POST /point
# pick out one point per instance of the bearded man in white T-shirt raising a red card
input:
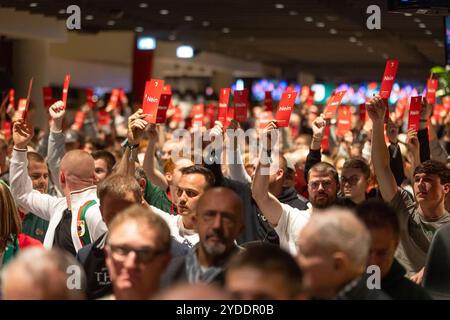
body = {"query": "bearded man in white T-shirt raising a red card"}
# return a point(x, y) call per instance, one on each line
point(323, 185)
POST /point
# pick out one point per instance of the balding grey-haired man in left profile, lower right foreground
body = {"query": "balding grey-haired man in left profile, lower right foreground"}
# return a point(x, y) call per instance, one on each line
point(333, 250)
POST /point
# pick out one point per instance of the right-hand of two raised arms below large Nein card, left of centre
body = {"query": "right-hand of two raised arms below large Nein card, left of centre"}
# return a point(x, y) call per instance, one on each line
point(152, 173)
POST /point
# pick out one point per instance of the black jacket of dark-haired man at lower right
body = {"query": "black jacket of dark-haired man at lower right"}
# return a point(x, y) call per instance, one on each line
point(398, 287)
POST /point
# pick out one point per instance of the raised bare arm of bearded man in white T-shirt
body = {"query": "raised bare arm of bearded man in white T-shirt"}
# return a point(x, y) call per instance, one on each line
point(268, 204)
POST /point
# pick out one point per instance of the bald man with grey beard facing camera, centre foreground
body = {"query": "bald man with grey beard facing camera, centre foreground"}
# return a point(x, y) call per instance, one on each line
point(219, 221)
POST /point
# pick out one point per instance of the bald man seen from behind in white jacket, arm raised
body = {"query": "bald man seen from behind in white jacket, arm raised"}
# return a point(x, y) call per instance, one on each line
point(75, 219)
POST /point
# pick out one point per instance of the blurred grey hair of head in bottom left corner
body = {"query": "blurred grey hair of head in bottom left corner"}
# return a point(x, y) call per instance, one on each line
point(40, 265)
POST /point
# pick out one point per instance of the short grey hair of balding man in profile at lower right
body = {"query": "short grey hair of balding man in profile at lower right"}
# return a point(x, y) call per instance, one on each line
point(338, 229)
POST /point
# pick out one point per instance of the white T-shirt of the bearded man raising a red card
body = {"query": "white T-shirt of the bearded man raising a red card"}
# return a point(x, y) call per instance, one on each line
point(291, 222)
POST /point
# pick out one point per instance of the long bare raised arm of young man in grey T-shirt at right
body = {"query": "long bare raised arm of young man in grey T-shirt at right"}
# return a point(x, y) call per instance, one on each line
point(380, 155)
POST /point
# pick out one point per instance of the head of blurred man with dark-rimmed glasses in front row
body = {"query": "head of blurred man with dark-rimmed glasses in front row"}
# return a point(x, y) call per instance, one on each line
point(137, 253)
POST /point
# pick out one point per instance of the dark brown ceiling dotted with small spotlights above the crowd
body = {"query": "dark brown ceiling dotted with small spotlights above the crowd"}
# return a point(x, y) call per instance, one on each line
point(328, 38)
